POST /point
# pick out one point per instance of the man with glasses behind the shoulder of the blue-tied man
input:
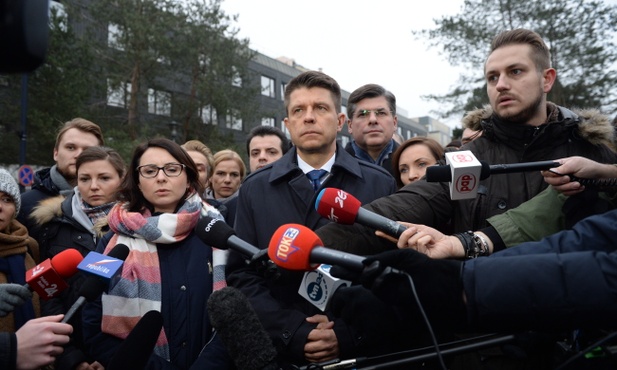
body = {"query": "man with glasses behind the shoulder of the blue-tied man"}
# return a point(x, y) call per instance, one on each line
point(372, 124)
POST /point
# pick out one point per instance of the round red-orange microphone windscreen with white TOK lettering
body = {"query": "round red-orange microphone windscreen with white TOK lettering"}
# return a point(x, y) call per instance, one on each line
point(291, 245)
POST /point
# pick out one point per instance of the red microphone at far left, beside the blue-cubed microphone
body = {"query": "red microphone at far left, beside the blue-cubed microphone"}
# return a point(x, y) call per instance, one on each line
point(47, 278)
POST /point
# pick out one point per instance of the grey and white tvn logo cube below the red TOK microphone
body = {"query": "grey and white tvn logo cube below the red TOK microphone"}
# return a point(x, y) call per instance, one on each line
point(319, 285)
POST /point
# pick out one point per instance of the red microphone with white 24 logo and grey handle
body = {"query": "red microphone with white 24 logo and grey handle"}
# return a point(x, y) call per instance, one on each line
point(343, 208)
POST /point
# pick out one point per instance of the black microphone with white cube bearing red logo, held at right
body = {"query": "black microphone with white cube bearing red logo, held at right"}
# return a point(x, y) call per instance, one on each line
point(464, 172)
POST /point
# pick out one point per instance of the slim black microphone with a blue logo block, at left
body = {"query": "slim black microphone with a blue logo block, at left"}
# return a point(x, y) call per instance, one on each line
point(100, 271)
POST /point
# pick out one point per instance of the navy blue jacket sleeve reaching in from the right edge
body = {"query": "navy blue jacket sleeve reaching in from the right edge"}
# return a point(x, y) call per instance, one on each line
point(568, 279)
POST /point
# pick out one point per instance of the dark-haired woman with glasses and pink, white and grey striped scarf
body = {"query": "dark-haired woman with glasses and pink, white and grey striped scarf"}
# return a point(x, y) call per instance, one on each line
point(168, 269)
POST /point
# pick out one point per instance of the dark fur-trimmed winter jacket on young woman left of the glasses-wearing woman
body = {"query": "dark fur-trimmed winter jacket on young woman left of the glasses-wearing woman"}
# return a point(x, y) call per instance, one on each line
point(58, 231)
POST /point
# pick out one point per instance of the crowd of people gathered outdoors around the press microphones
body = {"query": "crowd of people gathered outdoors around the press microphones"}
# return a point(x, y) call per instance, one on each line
point(532, 251)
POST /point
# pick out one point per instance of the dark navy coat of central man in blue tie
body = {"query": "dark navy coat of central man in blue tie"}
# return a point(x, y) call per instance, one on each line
point(278, 194)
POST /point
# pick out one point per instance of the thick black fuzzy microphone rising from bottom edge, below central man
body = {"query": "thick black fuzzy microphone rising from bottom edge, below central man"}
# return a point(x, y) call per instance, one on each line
point(247, 342)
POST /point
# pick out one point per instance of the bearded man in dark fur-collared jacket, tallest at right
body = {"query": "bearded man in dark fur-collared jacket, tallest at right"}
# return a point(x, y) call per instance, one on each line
point(520, 126)
